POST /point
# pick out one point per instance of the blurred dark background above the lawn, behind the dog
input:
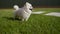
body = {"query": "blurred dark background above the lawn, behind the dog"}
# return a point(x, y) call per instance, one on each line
point(35, 3)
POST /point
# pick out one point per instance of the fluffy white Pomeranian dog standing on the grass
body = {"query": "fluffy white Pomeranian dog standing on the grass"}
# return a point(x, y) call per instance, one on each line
point(24, 12)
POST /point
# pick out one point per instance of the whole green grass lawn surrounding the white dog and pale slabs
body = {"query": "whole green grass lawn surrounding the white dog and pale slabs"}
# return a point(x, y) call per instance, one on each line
point(37, 24)
